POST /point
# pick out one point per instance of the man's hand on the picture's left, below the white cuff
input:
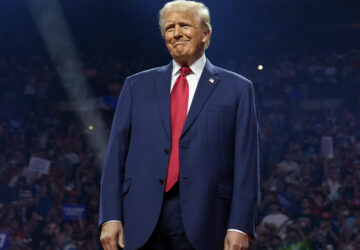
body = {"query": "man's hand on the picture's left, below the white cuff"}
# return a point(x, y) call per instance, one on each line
point(112, 233)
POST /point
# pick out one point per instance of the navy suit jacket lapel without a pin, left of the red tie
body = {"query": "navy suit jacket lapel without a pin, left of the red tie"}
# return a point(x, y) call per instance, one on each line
point(162, 82)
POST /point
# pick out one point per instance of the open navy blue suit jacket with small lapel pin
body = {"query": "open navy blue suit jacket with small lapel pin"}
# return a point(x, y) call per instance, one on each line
point(219, 157)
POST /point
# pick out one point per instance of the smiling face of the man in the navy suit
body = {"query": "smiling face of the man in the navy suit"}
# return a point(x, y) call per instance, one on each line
point(185, 37)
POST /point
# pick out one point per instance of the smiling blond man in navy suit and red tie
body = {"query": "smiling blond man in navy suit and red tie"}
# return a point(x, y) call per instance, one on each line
point(182, 165)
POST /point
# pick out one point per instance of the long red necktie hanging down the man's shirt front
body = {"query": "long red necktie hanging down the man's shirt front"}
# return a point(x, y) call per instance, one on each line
point(178, 103)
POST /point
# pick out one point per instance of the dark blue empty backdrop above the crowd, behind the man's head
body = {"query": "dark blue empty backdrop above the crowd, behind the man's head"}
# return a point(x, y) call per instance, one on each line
point(240, 27)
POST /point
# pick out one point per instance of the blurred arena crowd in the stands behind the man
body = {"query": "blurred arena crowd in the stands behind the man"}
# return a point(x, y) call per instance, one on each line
point(309, 200)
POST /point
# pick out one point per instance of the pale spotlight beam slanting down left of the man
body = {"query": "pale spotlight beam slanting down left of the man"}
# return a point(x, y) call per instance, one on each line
point(55, 33)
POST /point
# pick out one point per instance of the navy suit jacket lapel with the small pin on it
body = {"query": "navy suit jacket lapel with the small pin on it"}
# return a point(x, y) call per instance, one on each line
point(207, 83)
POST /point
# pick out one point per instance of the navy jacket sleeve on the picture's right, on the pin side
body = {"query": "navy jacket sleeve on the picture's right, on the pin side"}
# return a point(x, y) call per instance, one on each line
point(246, 192)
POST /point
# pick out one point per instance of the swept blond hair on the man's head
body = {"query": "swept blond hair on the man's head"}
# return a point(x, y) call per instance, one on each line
point(185, 6)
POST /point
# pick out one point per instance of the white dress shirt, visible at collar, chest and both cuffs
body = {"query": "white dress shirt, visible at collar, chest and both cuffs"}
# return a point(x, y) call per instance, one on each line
point(193, 79)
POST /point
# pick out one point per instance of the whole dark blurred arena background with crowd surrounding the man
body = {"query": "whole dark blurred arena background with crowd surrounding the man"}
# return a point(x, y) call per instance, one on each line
point(309, 88)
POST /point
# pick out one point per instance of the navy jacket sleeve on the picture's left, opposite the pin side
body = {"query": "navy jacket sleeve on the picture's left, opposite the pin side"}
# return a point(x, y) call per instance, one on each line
point(114, 164)
